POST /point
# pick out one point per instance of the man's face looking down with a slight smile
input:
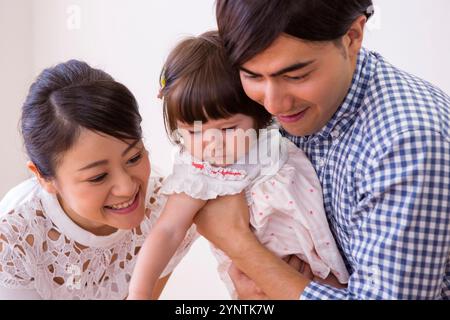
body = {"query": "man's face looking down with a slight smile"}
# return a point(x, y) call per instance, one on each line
point(301, 83)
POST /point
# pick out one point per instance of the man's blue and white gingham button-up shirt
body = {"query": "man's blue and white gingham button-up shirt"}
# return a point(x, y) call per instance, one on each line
point(384, 164)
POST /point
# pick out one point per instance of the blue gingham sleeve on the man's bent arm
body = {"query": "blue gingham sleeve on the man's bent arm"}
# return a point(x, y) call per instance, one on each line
point(401, 249)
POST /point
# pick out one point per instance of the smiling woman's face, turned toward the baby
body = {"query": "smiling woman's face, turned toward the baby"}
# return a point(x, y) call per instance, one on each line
point(101, 182)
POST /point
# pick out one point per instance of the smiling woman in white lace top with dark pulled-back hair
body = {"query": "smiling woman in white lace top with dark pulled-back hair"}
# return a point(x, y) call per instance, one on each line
point(73, 232)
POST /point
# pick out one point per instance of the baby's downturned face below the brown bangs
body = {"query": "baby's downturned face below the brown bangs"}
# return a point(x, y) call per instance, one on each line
point(219, 142)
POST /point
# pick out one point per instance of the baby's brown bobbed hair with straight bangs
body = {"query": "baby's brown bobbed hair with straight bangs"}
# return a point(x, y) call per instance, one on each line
point(199, 84)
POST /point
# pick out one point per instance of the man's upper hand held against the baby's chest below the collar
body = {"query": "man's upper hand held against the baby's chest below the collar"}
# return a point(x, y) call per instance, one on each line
point(223, 220)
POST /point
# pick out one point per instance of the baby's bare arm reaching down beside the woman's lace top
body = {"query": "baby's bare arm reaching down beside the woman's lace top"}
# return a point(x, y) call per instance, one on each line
point(162, 243)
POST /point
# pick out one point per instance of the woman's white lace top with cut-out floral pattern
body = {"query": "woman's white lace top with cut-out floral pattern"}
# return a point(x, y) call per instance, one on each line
point(35, 254)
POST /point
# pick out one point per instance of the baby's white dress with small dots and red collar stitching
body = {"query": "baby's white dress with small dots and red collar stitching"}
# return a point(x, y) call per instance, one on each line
point(284, 197)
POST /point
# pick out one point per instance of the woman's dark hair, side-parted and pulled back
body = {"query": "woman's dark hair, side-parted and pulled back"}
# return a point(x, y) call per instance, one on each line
point(68, 97)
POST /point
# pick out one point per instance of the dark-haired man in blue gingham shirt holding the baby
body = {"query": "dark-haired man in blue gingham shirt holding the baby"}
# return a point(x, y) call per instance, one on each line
point(378, 138)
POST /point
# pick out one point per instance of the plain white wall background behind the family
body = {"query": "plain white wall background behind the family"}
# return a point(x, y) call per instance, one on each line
point(130, 40)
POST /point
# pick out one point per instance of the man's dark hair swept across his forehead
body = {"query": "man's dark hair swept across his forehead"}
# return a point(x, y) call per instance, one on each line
point(248, 27)
